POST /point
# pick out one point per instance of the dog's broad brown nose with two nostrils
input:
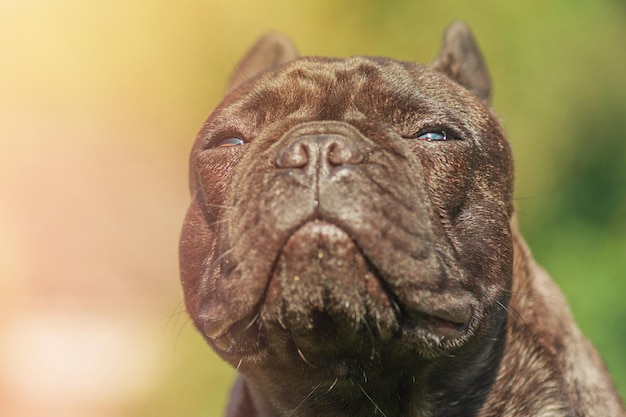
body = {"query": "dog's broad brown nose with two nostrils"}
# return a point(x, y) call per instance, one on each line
point(324, 151)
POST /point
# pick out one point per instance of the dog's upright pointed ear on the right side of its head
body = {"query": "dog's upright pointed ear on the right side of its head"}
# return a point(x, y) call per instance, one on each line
point(461, 60)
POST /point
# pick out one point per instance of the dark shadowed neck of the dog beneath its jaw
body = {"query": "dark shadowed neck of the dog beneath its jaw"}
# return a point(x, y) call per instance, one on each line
point(454, 386)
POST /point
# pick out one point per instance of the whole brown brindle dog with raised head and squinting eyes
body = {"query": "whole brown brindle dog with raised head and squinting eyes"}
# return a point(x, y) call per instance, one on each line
point(351, 247)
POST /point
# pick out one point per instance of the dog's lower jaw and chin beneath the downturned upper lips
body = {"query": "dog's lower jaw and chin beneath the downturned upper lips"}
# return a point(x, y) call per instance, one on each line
point(326, 294)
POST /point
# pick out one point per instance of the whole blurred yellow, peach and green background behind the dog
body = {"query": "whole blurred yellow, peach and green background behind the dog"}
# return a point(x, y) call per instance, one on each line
point(100, 102)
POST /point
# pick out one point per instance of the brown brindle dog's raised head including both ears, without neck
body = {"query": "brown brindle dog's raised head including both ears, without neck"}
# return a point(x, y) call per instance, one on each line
point(348, 212)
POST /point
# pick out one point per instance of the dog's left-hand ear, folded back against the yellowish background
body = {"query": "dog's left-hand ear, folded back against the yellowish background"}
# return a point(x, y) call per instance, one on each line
point(270, 50)
